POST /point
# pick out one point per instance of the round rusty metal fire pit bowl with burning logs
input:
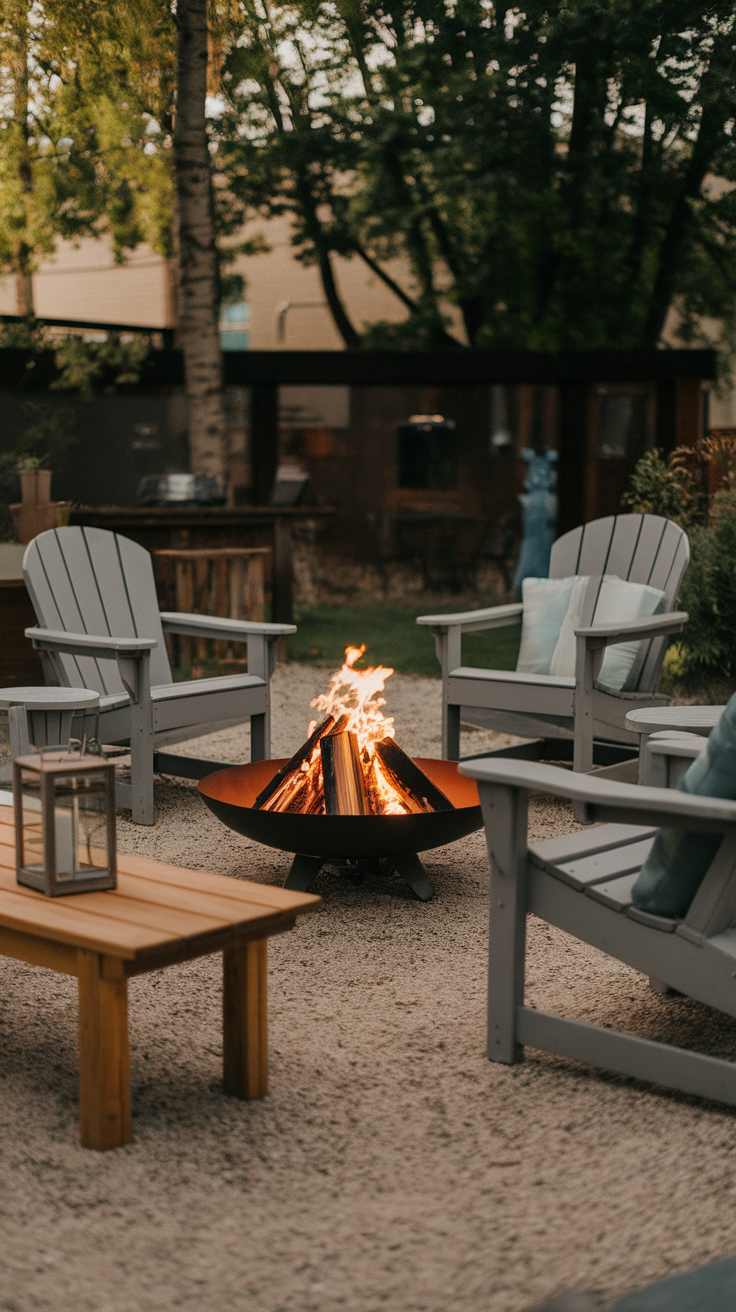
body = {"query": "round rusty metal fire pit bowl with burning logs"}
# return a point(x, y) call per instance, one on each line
point(350, 797)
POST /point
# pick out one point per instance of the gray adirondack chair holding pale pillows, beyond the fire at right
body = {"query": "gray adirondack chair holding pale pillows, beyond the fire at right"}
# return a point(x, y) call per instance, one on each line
point(638, 548)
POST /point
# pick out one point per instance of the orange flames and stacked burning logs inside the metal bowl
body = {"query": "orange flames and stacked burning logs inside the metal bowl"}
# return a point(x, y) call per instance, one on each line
point(361, 756)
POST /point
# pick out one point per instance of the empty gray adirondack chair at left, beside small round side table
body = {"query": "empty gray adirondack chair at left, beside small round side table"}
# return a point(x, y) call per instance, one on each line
point(100, 628)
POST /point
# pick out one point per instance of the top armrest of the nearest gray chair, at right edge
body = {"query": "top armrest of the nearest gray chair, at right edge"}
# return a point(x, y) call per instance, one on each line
point(605, 800)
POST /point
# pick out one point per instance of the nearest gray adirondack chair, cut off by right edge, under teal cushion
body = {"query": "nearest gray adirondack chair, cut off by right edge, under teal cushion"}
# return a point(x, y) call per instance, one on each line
point(582, 884)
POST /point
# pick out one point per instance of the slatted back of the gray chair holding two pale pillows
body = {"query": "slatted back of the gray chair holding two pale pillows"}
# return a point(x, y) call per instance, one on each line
point(638, 548)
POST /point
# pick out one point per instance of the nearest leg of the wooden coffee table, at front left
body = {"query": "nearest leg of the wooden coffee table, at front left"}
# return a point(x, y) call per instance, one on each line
point(104, 1058)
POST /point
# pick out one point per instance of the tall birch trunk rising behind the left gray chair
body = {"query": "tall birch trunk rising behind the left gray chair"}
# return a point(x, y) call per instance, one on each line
point(197, 254)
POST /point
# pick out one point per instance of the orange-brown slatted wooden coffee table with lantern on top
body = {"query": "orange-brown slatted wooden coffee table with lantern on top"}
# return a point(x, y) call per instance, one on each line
point(155, 918)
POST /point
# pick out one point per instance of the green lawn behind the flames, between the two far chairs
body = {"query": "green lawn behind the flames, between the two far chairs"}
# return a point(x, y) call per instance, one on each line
point(392, 638)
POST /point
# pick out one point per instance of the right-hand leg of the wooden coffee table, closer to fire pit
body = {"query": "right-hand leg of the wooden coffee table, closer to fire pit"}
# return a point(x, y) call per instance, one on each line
point(246, 1074)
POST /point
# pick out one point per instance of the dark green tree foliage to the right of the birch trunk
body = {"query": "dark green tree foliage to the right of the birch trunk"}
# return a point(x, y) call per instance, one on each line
point(563, 173)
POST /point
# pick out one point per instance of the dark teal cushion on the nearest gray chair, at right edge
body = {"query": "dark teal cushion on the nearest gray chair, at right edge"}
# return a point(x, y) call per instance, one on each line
point(680, 859)
